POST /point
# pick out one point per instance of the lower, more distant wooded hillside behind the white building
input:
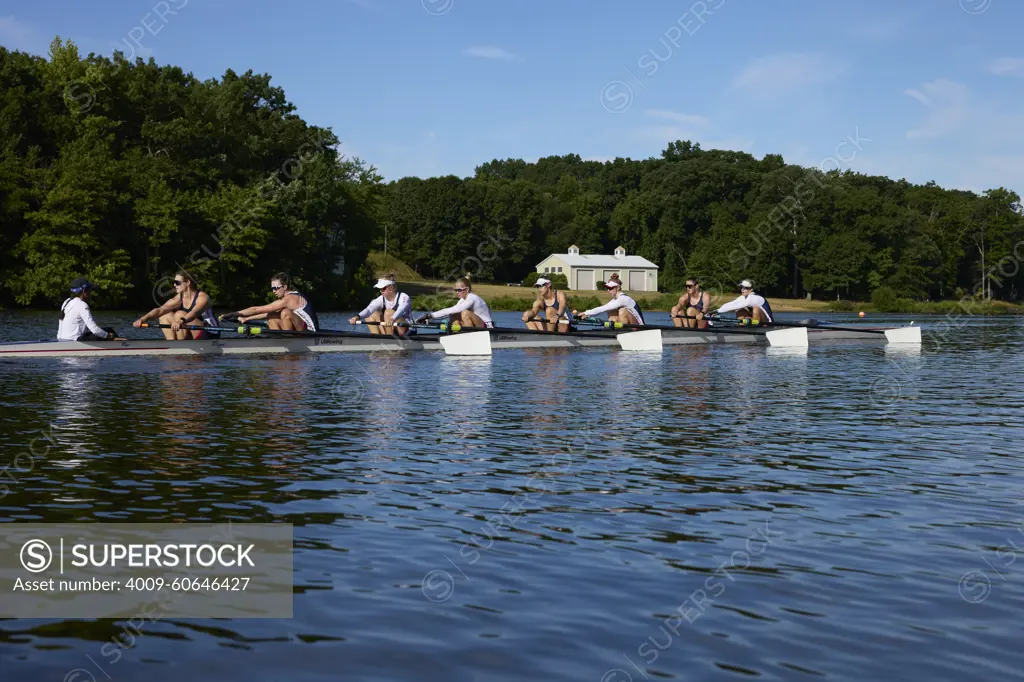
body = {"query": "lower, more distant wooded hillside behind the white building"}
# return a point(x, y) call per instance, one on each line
point(720, 217)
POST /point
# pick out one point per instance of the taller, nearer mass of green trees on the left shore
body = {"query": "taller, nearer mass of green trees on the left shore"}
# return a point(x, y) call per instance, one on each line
point(124, 173)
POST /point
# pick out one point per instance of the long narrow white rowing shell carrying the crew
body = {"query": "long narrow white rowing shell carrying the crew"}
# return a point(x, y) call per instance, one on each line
point(359, 343)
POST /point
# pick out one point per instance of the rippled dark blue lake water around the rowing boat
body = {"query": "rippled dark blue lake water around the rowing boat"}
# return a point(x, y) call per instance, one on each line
point(710, 514)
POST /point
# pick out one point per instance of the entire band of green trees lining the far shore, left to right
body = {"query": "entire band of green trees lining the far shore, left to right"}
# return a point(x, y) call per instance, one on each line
point(126, 172)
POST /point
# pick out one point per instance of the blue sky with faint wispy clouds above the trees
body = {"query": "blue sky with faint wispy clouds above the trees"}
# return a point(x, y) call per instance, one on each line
point(929, 91)
